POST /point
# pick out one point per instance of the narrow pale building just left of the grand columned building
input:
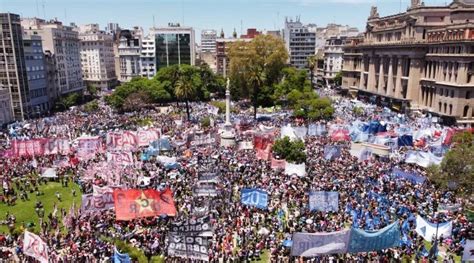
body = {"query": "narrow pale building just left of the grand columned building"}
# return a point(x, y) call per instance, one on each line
point(333, 57)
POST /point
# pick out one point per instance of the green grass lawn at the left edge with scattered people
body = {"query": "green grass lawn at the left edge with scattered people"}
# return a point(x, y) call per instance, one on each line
point(24, 211)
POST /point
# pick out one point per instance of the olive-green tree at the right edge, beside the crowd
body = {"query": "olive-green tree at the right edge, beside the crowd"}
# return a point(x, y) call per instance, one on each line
point(457, 169)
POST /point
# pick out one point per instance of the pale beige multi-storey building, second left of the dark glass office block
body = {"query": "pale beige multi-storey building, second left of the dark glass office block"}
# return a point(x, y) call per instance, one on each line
point(97, 57)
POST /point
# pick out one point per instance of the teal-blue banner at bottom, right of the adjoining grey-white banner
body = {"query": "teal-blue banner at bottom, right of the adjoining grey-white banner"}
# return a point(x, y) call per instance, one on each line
point(385, 238)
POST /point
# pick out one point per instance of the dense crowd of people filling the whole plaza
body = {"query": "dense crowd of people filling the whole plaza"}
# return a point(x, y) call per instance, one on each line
point(369, 198)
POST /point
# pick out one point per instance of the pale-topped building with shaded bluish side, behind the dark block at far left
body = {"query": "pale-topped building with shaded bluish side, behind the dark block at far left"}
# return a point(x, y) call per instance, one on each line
point(62, 42)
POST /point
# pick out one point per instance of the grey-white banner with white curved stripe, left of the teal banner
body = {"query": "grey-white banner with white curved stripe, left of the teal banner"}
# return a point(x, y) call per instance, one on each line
point(315, 244)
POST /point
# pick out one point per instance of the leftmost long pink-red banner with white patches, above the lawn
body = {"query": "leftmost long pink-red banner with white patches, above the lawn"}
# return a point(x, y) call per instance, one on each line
point(42, 146)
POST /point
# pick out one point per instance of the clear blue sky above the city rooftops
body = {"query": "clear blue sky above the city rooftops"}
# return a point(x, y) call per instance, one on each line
point(207, 14)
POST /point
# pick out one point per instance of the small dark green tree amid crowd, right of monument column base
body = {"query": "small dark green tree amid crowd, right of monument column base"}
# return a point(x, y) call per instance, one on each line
point(291, 151)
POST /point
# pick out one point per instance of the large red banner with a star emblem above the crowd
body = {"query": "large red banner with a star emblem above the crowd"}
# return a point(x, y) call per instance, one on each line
point(135, 203)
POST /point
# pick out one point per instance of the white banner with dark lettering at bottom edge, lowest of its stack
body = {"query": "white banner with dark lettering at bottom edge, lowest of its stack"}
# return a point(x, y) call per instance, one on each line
point(188, 247)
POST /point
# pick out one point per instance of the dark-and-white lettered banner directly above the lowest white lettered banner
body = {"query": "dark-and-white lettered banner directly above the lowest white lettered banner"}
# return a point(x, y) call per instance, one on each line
point(200, 226)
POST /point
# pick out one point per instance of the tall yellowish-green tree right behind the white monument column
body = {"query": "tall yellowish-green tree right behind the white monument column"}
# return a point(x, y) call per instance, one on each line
point(255, 65)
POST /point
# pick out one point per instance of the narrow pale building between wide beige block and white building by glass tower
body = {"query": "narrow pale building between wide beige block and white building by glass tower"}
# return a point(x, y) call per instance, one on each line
point(129, 52)
